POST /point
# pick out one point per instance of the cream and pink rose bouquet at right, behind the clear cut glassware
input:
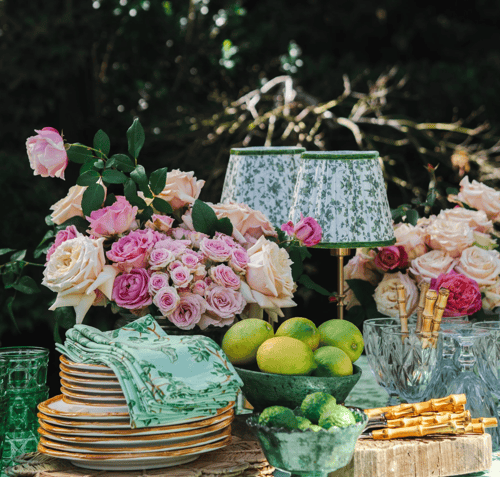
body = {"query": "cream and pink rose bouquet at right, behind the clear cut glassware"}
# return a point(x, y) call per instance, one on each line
point(455, 249)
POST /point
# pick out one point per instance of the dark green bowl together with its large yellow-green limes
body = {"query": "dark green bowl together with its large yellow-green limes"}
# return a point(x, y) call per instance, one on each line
point(282, 368)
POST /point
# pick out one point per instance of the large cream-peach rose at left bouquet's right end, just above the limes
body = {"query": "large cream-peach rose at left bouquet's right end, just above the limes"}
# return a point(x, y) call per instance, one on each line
point(268, 280)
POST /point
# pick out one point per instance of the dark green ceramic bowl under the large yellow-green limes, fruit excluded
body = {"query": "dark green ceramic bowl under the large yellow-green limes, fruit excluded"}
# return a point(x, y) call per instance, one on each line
point(265, 389)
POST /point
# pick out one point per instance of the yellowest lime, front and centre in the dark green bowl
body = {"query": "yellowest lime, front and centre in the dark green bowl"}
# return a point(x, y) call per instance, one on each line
point(285, 355)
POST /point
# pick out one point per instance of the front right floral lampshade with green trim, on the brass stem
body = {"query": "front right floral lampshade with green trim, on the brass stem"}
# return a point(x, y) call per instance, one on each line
point(345, 192)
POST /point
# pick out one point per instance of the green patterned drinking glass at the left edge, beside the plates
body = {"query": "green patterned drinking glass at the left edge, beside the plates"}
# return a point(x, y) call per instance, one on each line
point(26, 387)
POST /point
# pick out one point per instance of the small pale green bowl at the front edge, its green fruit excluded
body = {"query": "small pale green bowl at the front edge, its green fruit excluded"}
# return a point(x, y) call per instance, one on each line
point(308, 453)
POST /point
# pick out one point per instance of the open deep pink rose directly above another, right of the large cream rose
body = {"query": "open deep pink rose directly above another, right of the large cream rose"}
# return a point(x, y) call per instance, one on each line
point(132, 250)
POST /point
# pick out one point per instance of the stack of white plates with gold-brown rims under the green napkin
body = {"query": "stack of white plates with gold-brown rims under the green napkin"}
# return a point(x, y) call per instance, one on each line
point(89, 425)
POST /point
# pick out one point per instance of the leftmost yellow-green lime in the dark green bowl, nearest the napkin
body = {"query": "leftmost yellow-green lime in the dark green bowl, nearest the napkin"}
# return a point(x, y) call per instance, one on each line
point(242, 340)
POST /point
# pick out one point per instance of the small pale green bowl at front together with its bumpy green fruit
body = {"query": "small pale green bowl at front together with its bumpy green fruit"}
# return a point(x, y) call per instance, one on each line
point(314, 439)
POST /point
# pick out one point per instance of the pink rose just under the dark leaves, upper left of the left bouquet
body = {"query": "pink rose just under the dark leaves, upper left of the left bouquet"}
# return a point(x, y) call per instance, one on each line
point(113, 219)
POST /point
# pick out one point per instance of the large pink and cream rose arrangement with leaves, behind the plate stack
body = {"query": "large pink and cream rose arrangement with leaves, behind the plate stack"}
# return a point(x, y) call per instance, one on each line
point(155, 247)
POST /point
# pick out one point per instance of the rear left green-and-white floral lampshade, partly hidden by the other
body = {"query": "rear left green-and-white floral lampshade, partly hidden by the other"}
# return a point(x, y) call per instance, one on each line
point(264, 179)
